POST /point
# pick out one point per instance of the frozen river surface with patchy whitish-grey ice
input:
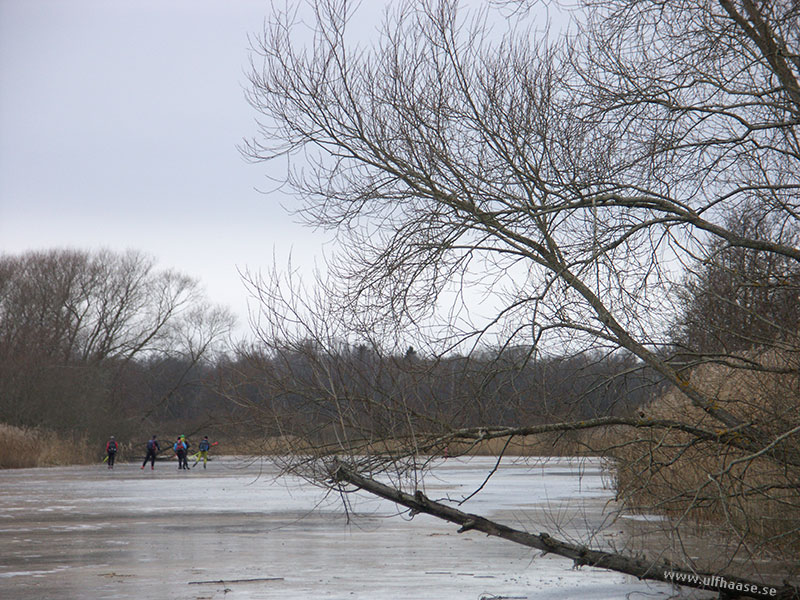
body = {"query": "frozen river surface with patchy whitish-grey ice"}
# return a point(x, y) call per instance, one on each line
point(234, 531)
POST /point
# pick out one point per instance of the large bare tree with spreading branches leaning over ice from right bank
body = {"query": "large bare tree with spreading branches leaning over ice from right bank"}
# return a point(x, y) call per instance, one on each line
point(499, 189)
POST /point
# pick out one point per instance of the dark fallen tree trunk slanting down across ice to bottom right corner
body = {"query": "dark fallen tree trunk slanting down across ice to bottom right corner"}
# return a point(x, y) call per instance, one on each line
point(728, 587)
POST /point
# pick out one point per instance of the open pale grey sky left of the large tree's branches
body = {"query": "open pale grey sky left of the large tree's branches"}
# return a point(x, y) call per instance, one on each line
point(119, 125)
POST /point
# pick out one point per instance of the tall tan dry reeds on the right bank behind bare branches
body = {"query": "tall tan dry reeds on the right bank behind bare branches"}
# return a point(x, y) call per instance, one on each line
point(754, 502)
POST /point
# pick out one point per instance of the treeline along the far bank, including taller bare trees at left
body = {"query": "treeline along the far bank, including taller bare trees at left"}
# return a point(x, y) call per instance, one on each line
point(99, 344)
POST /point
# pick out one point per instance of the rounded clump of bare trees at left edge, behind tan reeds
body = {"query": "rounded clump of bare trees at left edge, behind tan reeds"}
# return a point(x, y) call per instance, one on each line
point(72, 321)
